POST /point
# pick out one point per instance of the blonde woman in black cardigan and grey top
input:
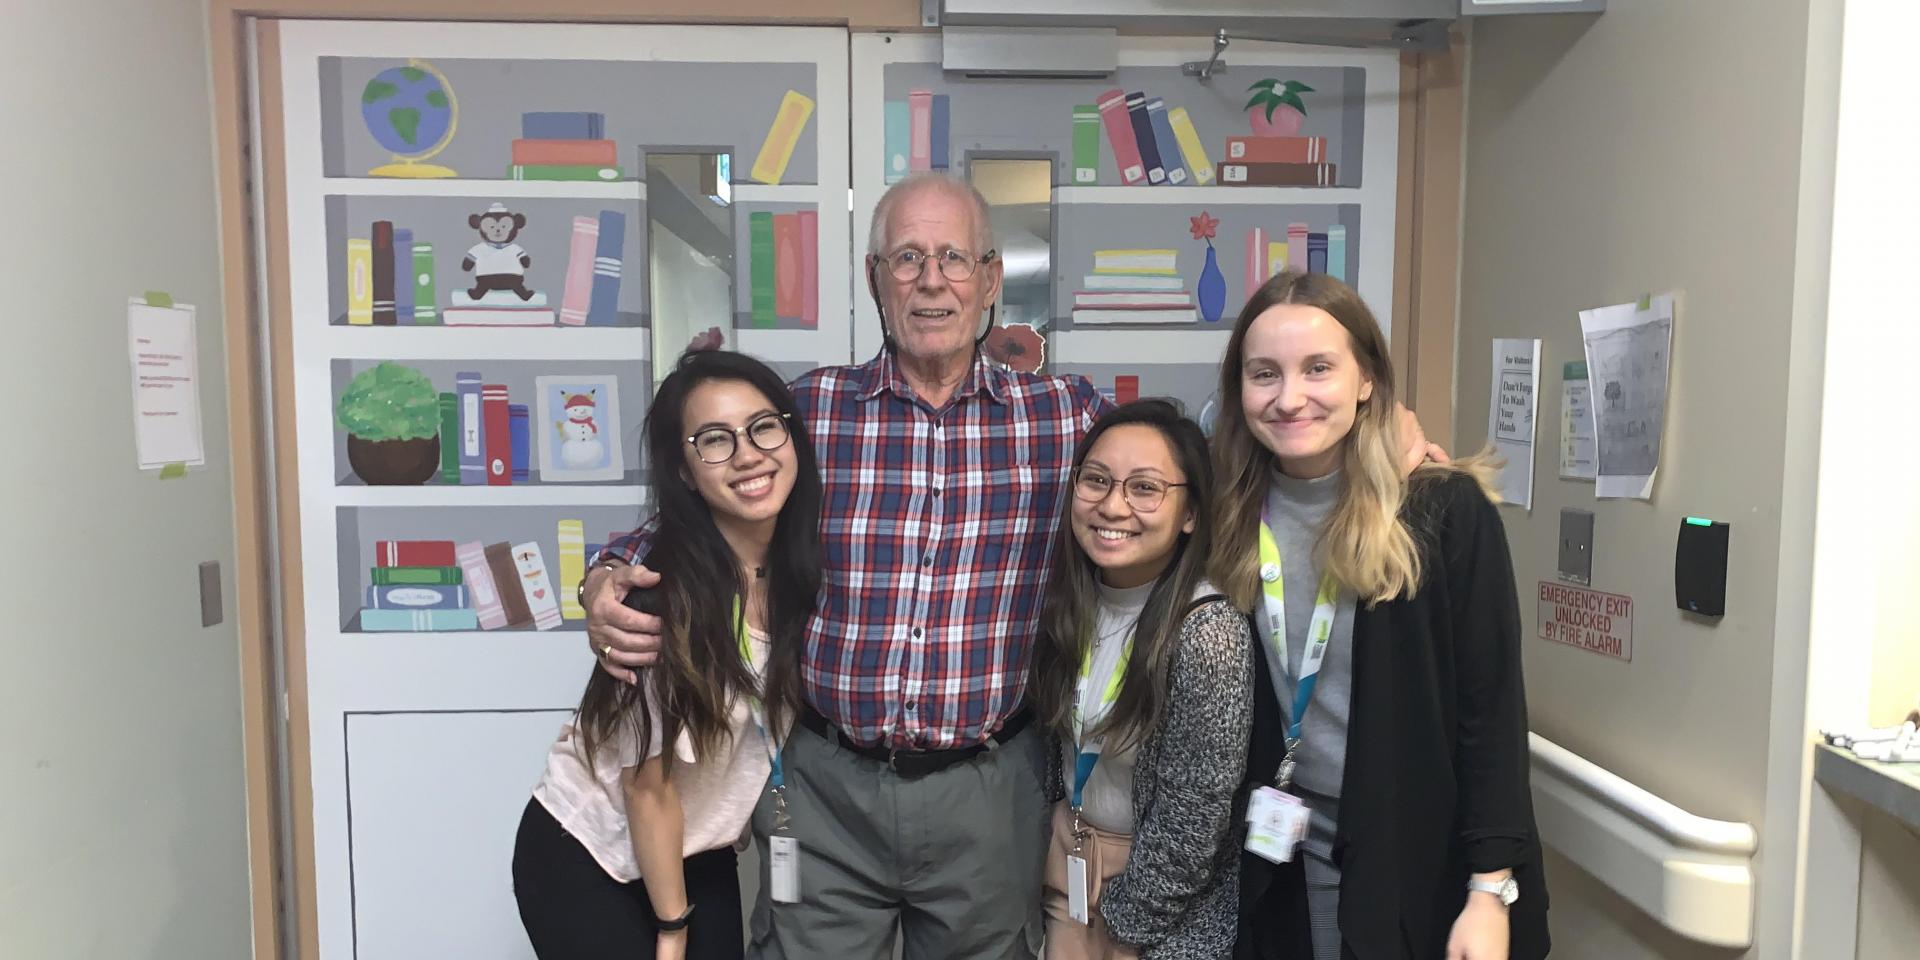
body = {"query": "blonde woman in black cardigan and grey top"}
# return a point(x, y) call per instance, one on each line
point(1389, 813)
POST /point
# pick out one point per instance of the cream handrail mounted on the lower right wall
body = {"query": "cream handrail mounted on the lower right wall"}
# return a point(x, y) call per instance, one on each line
point(1691, 873)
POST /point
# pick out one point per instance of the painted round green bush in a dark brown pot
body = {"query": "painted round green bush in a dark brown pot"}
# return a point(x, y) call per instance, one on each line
point(393, 421)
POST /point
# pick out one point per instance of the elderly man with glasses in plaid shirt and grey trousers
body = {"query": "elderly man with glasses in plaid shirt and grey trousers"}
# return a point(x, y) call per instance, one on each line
point(915, 777)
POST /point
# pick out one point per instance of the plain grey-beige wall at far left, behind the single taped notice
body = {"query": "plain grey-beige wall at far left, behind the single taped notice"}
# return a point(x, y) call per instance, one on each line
point(122, 800)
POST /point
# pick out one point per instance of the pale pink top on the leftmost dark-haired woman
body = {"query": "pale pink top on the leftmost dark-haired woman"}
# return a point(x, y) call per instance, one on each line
point(717, 796)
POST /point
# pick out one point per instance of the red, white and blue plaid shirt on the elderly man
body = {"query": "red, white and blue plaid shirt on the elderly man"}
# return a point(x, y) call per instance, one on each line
point(938, 533)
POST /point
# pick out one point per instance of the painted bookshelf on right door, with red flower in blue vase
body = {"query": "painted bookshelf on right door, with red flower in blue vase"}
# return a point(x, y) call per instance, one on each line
point(1170, 201)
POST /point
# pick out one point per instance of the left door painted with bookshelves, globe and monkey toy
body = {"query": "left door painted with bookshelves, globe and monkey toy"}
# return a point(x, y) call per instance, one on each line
point(500, 237)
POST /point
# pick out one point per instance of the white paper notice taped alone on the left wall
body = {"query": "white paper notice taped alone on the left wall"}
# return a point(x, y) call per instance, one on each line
point(166, 385)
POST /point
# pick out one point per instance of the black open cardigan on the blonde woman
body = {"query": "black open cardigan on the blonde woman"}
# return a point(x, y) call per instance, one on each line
point(1437, 756)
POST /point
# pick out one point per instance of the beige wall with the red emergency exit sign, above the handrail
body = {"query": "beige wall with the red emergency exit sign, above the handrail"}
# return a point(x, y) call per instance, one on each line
point(1650, 149)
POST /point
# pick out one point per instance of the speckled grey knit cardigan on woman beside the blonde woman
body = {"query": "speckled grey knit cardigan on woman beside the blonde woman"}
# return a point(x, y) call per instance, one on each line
point(1180, 896)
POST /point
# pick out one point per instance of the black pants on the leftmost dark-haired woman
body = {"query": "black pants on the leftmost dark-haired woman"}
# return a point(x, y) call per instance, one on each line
point(573, 911)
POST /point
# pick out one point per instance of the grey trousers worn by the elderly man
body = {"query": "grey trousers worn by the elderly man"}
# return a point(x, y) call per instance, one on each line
point(948, 863)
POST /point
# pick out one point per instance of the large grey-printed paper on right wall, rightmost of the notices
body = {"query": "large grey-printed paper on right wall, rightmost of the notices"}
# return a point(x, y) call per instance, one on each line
point(1627, 362)
